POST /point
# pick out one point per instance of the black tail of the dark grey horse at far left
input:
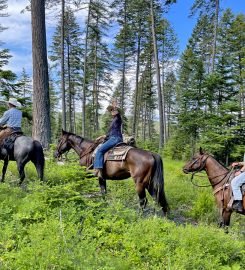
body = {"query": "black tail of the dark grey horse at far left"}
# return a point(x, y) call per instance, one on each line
point(38, 159)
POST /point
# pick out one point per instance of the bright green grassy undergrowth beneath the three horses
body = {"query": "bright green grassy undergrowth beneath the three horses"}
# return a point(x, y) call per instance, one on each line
point(66, 224)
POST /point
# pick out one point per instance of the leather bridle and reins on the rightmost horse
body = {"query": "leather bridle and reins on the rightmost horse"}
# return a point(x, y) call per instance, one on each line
point(202, 166)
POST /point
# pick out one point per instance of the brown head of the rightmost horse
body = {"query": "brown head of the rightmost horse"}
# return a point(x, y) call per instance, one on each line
point(197, 162)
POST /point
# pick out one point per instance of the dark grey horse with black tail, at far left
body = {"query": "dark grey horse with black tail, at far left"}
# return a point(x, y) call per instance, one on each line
point(25, 149)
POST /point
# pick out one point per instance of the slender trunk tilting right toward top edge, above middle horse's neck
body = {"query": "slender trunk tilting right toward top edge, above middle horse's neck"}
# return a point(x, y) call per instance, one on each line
point(85, 73)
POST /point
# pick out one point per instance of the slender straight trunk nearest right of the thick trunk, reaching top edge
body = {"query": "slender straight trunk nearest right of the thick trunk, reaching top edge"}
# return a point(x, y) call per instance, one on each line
point(63, 64)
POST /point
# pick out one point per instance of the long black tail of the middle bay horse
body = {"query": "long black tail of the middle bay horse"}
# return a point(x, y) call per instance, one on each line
point(157, 183)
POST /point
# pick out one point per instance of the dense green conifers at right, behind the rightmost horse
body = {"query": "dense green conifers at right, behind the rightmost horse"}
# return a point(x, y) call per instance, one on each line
point(211, 103)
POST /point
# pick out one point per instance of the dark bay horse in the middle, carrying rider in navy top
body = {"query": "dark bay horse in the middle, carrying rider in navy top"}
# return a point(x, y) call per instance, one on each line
point(144, 167)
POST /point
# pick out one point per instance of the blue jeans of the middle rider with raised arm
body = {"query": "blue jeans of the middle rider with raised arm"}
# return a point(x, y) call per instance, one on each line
point(99, 157)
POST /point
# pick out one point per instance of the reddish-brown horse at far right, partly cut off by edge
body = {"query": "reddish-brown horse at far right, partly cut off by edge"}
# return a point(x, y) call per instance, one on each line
point(219, 178)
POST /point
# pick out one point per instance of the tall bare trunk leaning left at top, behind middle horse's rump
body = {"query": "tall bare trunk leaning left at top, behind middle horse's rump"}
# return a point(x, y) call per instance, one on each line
point(160, 96)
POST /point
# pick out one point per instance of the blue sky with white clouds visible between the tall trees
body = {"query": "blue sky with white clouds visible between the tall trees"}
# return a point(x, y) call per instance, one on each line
point(17, 37)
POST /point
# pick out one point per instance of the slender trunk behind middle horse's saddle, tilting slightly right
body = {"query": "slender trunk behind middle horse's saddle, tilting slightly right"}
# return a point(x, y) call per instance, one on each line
point(137, 82)
